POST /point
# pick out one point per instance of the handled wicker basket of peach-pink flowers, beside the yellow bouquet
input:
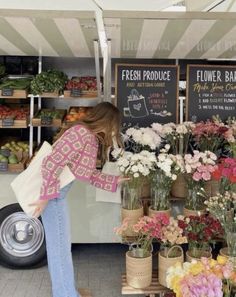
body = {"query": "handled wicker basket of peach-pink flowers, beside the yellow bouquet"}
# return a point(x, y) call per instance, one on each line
point(165, 262)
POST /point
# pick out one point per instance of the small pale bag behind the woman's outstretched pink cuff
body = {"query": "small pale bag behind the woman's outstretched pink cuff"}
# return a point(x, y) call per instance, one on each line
point(107, 196)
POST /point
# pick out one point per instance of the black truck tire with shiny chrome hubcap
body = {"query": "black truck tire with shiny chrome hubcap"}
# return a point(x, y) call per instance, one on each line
point(22, 242)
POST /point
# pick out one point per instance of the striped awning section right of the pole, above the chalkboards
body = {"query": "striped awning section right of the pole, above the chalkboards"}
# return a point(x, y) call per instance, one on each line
point(171, 35)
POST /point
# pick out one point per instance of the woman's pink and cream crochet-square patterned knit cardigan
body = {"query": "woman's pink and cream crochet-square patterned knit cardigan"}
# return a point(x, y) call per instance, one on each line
point(78, 149)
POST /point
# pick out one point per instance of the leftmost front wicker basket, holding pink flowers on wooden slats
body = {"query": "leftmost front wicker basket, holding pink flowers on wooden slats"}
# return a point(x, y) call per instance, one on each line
point(138, 271)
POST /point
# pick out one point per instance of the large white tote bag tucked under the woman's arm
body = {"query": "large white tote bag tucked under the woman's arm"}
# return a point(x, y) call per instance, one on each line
point(27, 184)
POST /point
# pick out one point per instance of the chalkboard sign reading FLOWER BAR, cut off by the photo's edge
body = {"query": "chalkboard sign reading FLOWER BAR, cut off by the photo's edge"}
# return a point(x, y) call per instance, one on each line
point(211, 90)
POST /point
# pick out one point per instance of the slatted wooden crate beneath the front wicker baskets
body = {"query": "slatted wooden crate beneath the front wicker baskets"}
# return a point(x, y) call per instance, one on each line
point(154, 288)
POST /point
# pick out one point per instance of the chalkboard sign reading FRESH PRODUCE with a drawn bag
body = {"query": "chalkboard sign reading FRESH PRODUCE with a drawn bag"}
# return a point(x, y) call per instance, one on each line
point(147, 94)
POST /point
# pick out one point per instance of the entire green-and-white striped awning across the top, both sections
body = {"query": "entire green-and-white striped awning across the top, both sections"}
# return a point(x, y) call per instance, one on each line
point(69, 28)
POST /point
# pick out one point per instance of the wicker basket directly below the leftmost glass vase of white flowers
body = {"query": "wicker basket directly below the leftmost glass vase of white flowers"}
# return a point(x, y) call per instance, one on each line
point(134, 216)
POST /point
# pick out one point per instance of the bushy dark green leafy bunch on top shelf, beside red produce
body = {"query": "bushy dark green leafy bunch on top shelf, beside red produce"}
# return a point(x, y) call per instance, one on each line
point(48, 81)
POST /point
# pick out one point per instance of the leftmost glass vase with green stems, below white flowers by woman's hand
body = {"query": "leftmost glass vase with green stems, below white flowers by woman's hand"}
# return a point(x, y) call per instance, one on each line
point(131, 196)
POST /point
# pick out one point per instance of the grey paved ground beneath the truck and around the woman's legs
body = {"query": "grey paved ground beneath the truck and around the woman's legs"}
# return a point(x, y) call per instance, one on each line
point(98, 267)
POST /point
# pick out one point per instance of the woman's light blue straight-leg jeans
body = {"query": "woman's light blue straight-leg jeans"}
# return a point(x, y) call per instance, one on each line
point(58, 243)
